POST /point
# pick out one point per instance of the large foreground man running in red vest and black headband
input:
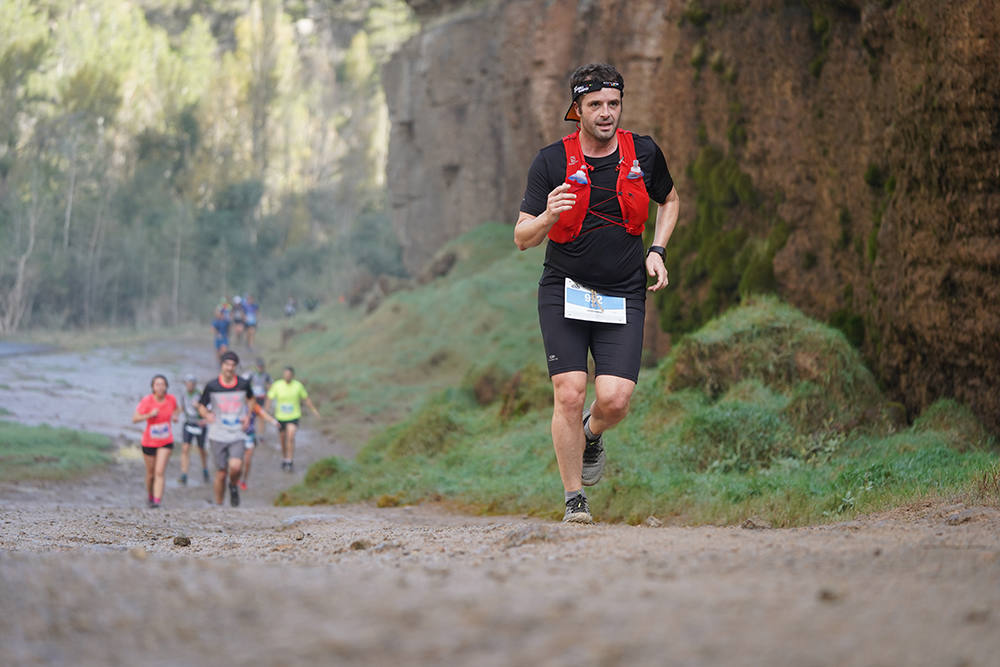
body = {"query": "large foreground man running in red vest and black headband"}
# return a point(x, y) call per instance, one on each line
point(589, 195)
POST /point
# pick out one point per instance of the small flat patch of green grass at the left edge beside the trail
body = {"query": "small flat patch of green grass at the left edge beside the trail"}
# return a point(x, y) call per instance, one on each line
point(43, 452)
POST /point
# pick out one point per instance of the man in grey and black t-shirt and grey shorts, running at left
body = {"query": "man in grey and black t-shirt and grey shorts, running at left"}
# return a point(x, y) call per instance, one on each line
point(226, 403)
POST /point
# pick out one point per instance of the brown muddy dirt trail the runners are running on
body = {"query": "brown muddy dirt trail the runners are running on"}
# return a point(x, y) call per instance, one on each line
point(89, 576)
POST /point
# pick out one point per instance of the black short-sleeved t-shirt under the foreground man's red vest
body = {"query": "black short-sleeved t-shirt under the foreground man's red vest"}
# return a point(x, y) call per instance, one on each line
point(604, 256)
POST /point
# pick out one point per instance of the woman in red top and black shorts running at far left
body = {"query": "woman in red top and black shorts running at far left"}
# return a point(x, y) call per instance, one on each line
point(157, 409)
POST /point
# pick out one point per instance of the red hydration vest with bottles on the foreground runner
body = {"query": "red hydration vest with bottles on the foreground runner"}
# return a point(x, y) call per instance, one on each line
point(631, 192)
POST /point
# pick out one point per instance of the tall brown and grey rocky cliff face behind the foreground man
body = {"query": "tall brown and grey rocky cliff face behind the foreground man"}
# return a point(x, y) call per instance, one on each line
point(866, 132)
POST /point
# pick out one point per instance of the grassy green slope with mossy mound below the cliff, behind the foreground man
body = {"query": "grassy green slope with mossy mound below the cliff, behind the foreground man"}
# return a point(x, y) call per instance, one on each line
point(761, 412)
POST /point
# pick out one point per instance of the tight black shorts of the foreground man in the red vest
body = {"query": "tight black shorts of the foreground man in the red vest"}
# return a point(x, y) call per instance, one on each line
point(616, 348)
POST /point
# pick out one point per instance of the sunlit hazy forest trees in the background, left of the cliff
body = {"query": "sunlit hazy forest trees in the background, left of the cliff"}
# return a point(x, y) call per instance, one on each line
point(152, 150)
